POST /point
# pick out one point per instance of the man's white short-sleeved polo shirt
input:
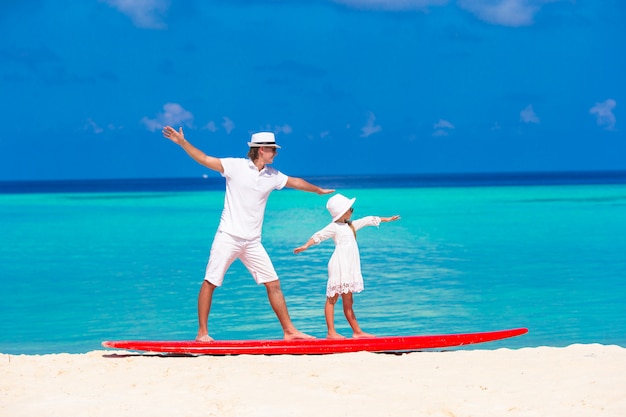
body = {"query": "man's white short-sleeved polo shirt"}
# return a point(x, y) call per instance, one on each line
point(247, 191)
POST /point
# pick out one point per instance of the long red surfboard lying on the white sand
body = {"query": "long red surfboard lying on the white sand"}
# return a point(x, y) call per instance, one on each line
point(314, 346)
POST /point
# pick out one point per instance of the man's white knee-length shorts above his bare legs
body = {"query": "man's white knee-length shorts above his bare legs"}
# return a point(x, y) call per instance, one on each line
point(226, 248)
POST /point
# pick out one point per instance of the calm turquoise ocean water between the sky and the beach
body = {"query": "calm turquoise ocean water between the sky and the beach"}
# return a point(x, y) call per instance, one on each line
point(91, 261)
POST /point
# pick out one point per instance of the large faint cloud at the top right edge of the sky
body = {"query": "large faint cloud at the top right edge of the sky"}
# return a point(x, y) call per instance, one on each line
point(504, 12)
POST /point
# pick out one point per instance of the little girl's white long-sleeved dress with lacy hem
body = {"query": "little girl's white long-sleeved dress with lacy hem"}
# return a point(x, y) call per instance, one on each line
point(344, 266)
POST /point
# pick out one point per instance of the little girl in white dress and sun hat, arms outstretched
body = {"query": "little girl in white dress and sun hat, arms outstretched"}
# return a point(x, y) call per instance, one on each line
point(344, 267)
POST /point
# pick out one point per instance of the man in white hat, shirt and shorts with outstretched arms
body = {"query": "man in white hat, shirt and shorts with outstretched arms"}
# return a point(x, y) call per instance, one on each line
point(249, 183)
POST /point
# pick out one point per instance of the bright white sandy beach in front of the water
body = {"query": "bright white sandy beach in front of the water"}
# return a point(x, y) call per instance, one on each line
point(580, 380)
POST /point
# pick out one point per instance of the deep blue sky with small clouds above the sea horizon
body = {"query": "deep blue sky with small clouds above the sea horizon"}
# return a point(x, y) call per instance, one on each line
point(348, 86)
